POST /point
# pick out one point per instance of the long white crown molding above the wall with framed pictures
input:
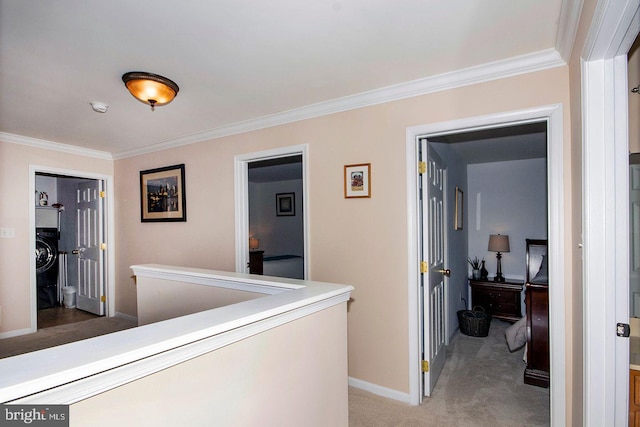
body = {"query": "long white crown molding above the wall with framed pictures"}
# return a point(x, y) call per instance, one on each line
point(529, 63)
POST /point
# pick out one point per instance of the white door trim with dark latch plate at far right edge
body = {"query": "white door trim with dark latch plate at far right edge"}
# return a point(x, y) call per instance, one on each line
point(605, 216)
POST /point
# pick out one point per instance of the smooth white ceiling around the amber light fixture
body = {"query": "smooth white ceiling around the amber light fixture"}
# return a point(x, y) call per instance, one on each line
point(236, 61)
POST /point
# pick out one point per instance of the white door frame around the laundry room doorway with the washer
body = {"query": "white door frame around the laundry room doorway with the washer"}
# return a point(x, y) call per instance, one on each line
point(109, 234)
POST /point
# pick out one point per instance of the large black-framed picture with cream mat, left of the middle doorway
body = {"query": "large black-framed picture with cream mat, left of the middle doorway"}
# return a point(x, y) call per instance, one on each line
point(162, 195)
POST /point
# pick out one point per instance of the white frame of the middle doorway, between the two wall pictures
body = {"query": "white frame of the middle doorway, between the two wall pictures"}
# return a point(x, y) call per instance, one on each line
point(241, 183)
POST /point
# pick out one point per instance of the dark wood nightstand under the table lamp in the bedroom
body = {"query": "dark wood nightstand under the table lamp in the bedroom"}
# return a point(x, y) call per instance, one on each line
point(500, 299)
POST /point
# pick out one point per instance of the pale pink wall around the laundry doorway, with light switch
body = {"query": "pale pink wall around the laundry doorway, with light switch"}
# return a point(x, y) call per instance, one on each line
point(14, 213)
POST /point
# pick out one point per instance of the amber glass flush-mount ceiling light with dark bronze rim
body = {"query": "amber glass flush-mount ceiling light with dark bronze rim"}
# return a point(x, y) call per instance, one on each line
point(150, 88)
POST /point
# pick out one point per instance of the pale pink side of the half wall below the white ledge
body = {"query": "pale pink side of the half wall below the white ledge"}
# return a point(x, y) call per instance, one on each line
point(293, 375)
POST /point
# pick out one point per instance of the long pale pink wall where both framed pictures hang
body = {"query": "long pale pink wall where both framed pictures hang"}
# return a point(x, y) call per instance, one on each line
point(361, 242)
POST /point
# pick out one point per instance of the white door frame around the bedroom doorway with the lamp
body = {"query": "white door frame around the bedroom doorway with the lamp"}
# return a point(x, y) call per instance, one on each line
point(553, 115)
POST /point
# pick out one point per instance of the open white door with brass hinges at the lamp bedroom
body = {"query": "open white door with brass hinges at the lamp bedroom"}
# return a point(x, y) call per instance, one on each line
point(432, 187)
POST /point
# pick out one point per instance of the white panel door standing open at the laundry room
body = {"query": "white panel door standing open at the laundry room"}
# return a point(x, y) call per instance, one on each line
point(89, 237)
